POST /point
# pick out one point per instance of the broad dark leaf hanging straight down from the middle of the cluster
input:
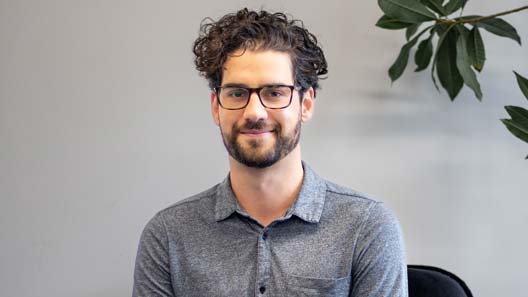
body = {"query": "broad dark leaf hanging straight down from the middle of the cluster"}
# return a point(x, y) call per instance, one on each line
point(447, 70)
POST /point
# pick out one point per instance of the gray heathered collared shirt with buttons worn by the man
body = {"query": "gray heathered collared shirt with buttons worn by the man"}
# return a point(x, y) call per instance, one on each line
point(333, 241)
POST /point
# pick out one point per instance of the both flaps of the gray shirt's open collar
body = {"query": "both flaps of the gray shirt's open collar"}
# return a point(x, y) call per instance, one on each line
point(308, 206)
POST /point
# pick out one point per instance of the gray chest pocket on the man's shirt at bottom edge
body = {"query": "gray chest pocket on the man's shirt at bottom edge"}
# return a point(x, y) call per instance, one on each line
point(320, 287)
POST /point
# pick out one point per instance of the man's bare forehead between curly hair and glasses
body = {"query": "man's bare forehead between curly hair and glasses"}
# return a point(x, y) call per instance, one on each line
point(257, 68)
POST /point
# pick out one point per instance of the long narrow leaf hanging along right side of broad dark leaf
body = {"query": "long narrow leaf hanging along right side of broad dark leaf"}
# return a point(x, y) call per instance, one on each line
point(463, 63)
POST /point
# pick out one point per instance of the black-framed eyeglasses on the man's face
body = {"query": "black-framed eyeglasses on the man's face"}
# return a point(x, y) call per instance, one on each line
point(272, 97)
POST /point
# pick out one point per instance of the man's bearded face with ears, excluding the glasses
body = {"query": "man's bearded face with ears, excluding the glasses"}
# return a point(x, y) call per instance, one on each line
point(255, 136)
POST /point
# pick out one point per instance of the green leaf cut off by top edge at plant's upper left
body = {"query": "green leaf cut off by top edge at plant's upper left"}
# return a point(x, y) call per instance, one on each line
point(408, 11)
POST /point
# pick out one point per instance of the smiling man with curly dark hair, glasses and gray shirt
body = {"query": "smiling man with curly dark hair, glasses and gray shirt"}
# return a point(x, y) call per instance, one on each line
point(272, 227)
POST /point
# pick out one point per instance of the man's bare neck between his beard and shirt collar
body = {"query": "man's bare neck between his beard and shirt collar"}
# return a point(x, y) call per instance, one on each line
point(267, 193)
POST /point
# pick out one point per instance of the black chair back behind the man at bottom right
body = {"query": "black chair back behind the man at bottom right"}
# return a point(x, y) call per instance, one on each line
point(428, 281)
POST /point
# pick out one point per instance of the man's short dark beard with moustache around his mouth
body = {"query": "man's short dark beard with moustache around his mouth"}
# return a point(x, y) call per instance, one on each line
point(255, 155)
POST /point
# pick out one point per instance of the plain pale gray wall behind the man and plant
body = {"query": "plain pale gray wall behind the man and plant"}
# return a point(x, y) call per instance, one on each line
point(104, 121)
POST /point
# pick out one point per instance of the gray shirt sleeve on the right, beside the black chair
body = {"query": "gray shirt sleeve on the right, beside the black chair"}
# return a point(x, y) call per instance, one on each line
point(379, 263)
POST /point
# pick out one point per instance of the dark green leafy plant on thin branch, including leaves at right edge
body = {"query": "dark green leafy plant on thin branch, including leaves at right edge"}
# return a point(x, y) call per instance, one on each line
point(459, 52)
